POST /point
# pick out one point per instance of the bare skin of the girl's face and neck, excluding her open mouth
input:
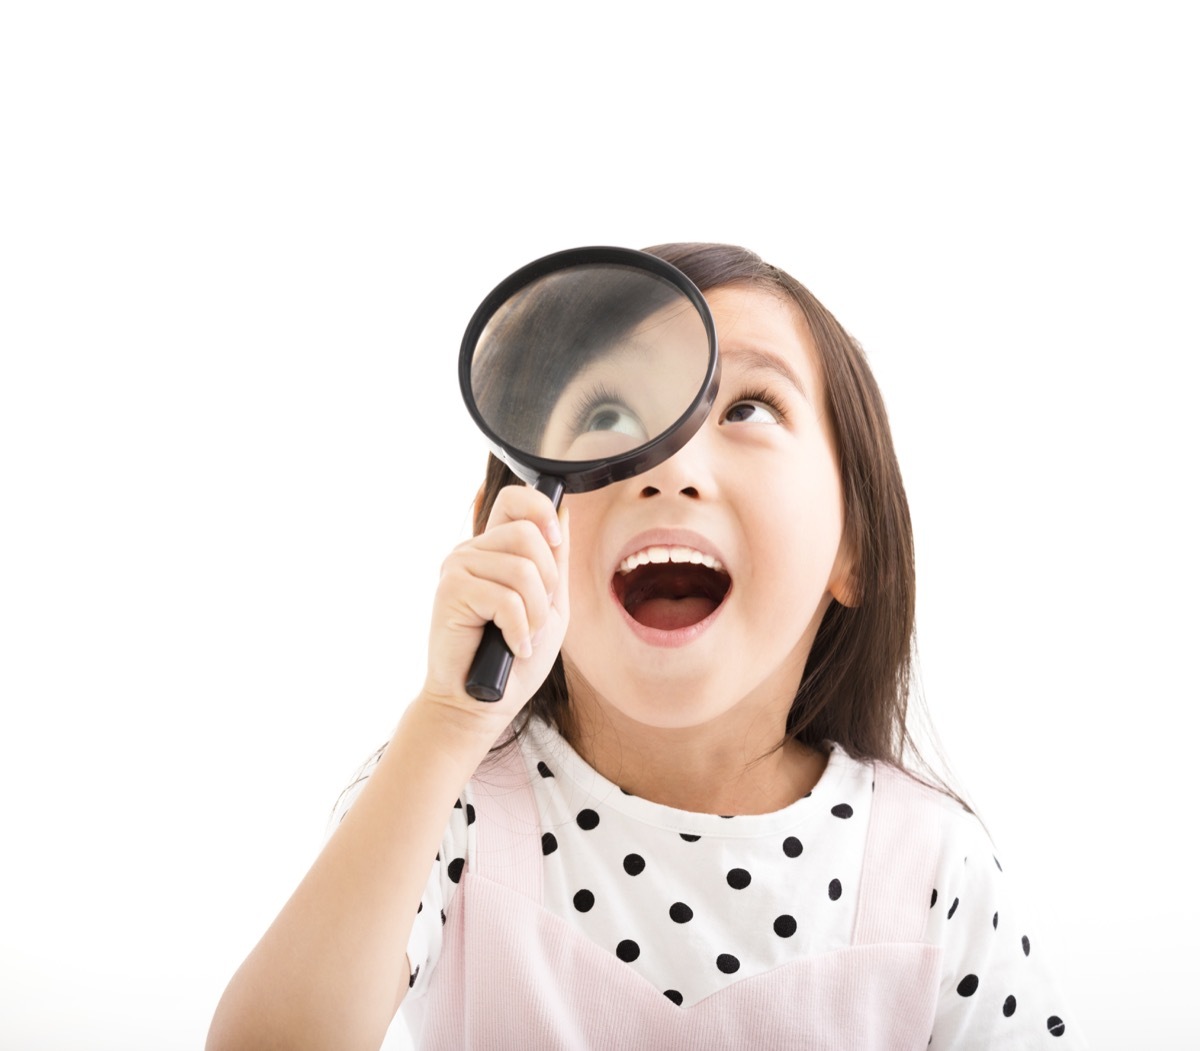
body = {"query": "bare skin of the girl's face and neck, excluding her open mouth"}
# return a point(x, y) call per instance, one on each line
point(759, 487)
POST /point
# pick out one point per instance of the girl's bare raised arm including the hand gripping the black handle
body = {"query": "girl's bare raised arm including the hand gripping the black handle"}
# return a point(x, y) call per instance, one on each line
point(329, 972)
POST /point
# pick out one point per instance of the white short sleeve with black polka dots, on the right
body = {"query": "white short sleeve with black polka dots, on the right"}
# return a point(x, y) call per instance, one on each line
point(998, 988)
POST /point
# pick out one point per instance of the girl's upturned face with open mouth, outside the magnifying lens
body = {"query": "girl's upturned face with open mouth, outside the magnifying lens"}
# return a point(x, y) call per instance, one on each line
point(698, 586)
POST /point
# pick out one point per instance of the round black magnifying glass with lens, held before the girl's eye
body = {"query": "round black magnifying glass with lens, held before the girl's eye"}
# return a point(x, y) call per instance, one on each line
point(583, 369)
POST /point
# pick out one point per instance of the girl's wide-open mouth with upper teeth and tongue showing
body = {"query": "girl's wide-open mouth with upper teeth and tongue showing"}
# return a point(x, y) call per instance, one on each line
point(668, 588)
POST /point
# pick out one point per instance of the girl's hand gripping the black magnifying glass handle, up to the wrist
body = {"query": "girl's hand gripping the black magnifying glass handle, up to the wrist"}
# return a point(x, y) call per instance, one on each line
point(513, 574)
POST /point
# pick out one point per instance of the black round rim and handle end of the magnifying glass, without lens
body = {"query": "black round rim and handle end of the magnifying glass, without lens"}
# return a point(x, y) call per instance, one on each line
point(494, 659)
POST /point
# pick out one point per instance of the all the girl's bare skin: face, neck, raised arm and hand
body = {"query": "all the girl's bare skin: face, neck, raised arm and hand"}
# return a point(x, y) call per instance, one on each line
point(692, 720)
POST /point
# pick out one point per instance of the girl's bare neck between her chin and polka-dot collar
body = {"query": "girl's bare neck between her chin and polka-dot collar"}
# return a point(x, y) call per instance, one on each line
point(731, 766)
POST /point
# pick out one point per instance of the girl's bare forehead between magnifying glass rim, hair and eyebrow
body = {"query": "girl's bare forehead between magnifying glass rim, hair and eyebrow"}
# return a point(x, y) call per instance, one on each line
point(757, 327)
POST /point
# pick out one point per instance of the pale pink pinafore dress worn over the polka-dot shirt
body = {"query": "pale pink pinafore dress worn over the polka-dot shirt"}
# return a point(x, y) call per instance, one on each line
point(514, 976)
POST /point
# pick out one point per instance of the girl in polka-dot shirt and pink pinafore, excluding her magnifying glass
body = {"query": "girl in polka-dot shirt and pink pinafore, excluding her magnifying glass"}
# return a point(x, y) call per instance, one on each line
point(688, 822)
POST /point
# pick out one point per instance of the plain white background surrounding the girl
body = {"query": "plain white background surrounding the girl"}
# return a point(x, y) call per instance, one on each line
point(239, 243)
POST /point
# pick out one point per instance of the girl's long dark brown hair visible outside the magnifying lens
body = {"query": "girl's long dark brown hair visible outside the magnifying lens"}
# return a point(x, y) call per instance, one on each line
point(856, 686)
